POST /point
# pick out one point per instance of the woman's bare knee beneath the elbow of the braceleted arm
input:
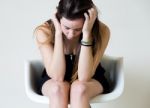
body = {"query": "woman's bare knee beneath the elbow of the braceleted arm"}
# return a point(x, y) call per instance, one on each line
point(78, 89)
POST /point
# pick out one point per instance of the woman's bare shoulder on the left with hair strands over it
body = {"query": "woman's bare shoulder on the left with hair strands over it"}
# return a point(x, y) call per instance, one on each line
point(43, 33)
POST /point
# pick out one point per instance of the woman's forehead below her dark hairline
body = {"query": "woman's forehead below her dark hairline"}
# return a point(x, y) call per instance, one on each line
point(77, 23)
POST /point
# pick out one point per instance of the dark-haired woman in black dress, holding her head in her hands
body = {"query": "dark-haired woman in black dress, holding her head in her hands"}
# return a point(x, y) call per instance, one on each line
point(72, 44)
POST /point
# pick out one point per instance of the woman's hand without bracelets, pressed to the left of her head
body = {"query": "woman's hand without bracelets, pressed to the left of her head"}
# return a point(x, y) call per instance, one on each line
point(58, 30)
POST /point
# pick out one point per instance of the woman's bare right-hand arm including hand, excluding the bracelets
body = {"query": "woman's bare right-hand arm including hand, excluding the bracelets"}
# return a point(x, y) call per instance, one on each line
point(86, 67)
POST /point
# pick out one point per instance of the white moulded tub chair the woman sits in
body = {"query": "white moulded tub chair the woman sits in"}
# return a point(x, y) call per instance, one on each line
point(114, 74)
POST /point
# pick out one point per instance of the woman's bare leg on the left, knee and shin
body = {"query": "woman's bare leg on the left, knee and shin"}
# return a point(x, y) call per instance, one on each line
point(57, 92)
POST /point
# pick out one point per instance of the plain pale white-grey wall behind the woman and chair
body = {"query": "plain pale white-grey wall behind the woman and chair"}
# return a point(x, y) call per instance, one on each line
point(128, 21)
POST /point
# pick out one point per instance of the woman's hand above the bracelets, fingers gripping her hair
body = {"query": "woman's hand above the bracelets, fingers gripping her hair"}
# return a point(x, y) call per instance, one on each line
point(89, 22)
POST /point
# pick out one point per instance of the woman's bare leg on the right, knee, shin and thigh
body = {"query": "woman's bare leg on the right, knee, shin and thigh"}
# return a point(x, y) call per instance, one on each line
point(82, 92)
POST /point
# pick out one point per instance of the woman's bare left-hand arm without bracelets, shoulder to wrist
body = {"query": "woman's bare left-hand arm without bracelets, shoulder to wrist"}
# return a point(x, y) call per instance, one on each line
point(52, 55)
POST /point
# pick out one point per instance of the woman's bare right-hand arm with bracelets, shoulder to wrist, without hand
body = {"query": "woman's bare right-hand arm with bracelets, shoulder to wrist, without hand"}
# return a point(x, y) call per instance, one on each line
point(86, 69)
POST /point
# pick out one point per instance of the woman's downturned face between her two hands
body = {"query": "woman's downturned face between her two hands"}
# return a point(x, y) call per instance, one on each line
point(71, 28)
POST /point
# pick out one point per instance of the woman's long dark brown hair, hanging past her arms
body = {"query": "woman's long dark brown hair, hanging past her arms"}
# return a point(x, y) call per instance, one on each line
point(73, 9)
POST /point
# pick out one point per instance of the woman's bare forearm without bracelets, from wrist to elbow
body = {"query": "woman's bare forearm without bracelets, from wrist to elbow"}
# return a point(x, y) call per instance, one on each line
point(58, 64)
